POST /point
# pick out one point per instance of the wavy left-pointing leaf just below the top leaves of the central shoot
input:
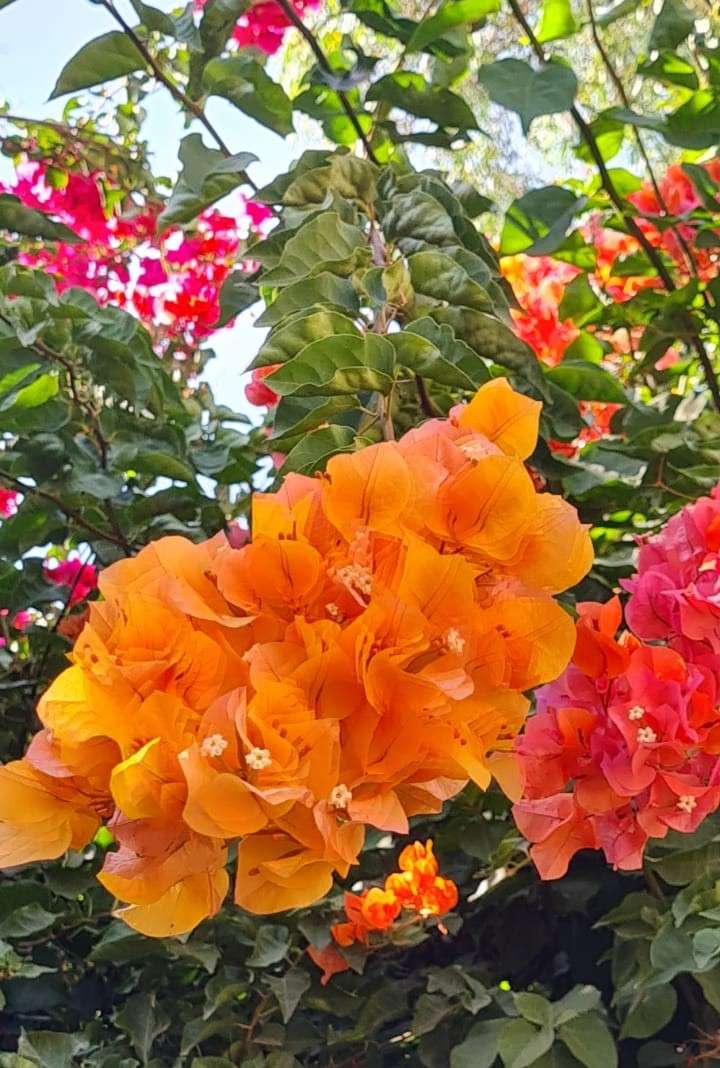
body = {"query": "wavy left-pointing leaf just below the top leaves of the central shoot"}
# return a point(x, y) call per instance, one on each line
point(324, 244)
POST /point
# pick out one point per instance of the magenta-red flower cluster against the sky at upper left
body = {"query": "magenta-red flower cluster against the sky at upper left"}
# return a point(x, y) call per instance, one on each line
point(170, 280)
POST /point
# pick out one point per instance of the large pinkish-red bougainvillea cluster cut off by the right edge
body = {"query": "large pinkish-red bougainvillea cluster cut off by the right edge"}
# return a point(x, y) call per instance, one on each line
point(627, 744)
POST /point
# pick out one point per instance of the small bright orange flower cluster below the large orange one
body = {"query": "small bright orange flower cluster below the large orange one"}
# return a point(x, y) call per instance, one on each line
point(416, 889)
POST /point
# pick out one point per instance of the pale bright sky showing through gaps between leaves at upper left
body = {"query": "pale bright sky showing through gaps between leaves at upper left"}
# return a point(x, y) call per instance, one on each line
point(37, 40)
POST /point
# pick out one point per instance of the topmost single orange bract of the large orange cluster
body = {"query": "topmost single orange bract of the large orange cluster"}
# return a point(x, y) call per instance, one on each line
point(507, 418)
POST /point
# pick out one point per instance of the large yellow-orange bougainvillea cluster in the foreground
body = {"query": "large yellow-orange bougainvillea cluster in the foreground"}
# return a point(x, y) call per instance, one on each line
point(354, 666)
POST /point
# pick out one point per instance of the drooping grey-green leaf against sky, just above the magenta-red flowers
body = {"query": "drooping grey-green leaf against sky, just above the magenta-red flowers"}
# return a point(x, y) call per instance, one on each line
point(207, 177)
